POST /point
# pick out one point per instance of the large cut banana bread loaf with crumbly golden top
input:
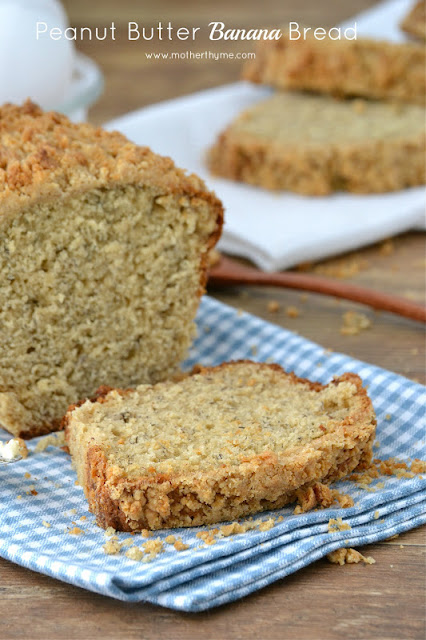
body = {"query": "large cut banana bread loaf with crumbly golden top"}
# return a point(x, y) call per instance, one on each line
point(103, 254)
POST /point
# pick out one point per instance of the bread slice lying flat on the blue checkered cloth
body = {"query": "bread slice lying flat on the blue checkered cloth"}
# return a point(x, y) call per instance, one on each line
point(222, 443)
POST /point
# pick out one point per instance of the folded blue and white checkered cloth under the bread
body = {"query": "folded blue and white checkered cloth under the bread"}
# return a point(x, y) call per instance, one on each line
point(207, 576)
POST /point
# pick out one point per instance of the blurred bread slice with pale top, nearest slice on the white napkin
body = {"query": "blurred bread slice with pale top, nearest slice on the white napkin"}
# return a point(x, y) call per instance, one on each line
point(315, 145)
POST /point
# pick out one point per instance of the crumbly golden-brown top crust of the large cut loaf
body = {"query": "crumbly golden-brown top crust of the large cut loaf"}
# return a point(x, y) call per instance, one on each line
point(43, 155)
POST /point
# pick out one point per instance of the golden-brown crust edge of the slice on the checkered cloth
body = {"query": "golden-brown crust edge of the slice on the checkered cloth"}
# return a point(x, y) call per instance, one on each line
point(261, 482)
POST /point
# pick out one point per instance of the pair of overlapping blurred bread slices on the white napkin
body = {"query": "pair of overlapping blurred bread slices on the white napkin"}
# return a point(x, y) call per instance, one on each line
point(356, 123)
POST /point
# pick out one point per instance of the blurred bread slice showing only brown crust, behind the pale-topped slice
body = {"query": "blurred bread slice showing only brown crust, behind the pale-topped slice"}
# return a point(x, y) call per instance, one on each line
point(362, 67)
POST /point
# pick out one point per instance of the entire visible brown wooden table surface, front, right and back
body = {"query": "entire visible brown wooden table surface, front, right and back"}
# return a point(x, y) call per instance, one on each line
point(323, 601)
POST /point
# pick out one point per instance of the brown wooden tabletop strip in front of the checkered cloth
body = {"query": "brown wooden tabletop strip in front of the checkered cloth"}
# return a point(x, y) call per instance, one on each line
point(384, 600)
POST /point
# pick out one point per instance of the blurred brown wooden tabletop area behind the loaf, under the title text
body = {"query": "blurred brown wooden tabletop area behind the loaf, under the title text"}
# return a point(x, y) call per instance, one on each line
point(133, 81)
